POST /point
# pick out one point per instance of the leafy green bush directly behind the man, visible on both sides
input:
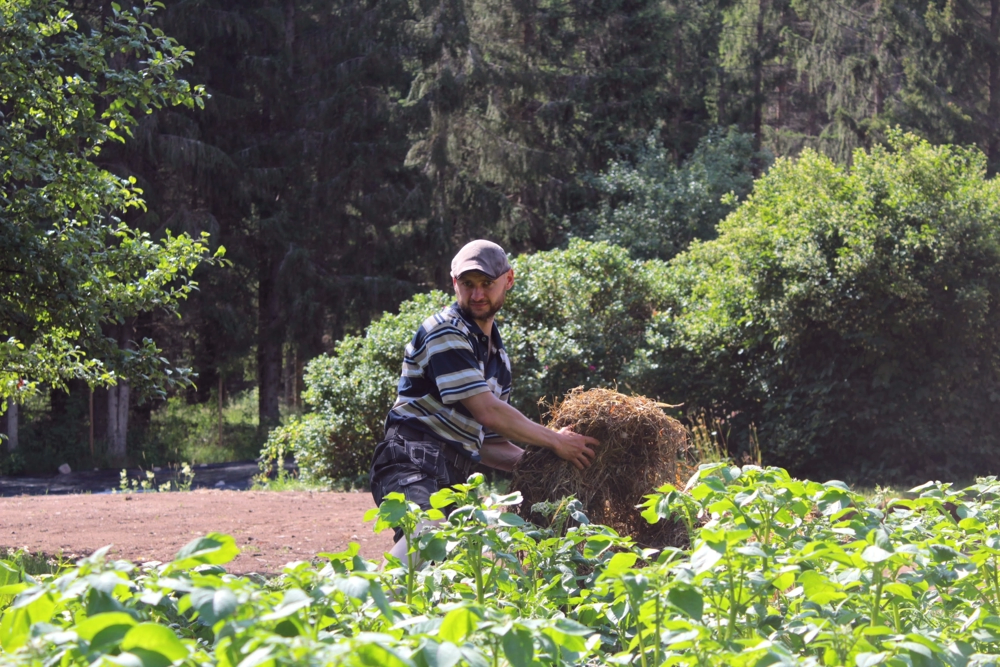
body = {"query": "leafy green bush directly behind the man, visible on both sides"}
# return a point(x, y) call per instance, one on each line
point(573, 318)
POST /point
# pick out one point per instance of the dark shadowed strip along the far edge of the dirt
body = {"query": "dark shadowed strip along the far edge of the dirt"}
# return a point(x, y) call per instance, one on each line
point(234, 476)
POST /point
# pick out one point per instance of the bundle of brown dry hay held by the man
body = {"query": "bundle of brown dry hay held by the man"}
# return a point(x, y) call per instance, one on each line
point(639, 451)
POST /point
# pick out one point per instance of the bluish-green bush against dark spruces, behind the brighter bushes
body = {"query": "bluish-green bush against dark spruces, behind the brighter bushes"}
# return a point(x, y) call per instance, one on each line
point(655, 208)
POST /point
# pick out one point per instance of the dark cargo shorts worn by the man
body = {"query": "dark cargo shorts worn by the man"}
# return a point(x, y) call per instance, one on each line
point(415, 468)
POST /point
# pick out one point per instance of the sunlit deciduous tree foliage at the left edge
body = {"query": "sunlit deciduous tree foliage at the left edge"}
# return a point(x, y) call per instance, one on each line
point(68, 265)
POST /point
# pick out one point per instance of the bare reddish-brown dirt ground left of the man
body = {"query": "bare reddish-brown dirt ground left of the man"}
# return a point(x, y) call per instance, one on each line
point(271, 528)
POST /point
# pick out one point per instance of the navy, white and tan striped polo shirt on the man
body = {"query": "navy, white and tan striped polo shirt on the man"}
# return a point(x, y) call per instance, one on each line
point(444, 363)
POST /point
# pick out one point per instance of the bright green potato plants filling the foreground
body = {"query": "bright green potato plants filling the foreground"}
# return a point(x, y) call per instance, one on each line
point(779, 571)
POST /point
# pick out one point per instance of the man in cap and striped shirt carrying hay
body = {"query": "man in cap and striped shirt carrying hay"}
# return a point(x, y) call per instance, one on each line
point(451, 411)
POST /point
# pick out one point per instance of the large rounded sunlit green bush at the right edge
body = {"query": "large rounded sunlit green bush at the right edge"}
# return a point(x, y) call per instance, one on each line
point(851, 314)
